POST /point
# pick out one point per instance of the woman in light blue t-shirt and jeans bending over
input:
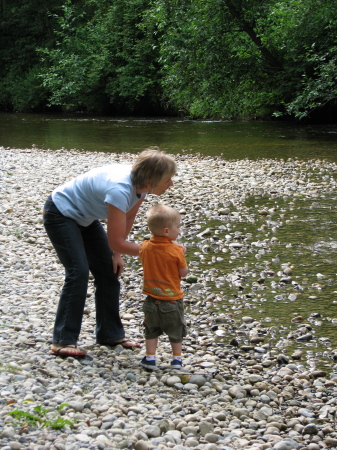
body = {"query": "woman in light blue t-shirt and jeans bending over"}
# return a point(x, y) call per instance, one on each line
point(71, 218)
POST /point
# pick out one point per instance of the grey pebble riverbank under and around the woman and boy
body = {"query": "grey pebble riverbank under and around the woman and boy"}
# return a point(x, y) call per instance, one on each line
point(238, 389)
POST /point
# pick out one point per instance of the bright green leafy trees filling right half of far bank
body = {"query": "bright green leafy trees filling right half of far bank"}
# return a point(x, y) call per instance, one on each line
point(229, 59)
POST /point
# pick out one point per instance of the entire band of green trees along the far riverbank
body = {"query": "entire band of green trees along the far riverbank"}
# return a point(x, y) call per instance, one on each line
point(201, 58)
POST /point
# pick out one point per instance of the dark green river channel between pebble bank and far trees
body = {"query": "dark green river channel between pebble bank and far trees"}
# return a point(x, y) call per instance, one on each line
point(233, 140)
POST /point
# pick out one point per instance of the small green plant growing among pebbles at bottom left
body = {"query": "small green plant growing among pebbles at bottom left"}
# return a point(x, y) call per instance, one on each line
point(41, 417)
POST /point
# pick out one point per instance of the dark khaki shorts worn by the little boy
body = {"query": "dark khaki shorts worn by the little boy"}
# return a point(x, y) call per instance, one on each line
point(164, 316)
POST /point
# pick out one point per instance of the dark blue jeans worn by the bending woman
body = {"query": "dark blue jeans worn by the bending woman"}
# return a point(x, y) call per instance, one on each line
point(81, 249)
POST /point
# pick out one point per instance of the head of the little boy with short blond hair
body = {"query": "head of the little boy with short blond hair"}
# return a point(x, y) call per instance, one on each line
point(164, 221)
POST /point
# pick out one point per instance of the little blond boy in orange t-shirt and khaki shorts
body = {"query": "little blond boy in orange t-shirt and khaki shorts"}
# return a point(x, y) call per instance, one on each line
point(163, 264)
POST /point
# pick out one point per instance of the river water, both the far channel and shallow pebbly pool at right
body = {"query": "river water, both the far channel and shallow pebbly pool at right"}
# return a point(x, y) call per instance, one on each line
point(309, 242)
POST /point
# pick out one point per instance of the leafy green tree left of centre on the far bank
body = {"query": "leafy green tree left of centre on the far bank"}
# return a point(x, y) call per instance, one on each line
point(101, 57)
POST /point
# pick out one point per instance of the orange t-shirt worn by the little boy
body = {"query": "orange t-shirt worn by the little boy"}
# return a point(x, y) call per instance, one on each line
point(161, 260)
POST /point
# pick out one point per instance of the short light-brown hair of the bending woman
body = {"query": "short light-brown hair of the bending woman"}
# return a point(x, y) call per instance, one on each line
point(152, 165)
